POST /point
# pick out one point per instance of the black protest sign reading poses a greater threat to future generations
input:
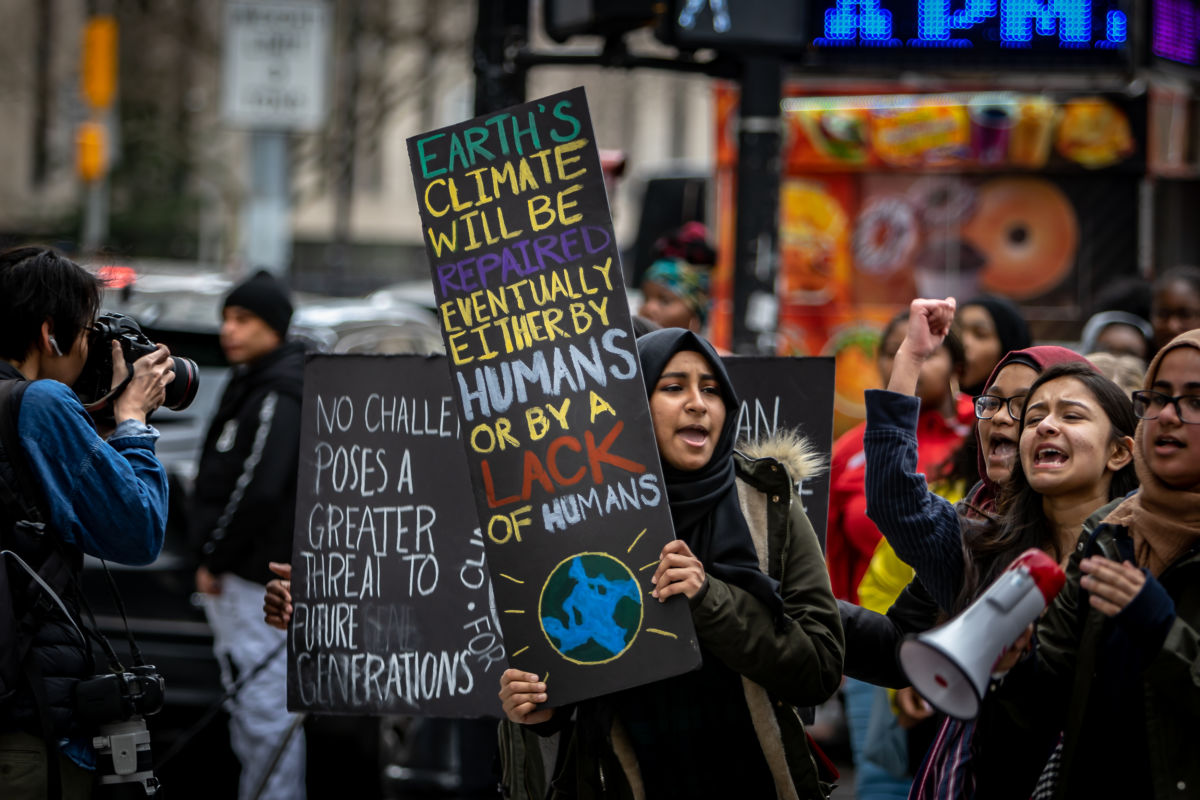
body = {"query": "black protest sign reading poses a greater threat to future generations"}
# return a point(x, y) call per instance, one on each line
point(391, 590)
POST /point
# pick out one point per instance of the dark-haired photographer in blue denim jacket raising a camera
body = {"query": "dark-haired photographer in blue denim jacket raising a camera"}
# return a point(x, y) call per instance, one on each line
point(104, 498)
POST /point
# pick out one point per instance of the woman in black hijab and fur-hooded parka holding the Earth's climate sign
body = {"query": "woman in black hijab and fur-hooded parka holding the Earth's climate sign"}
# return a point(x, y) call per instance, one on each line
point(752, 569)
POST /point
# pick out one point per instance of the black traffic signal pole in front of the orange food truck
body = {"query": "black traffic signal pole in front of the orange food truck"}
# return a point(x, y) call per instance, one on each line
point(755, 263)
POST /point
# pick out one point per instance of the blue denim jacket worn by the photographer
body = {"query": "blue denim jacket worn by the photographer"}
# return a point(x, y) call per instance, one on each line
point(109, 500)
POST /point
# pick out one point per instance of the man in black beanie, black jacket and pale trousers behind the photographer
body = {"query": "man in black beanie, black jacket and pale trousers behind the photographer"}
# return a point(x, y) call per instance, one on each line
point(244, 508)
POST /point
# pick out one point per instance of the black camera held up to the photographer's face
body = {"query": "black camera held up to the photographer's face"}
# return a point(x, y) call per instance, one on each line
point(95, 383)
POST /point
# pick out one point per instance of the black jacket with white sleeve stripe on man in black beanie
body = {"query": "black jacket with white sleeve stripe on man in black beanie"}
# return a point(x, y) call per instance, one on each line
point(244, 501)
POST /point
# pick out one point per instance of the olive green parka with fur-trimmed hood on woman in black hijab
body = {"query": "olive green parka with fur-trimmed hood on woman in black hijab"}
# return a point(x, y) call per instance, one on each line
point(785, 665)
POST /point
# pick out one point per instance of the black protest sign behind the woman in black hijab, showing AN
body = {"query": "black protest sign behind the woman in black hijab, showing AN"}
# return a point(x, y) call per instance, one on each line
point(790, 394)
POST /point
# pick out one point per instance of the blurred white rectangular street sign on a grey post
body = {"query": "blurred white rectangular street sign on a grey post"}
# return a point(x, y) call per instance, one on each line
point(277, 65)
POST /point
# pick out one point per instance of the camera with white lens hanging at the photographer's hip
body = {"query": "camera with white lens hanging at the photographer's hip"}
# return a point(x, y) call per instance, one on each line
point(118, 703)
